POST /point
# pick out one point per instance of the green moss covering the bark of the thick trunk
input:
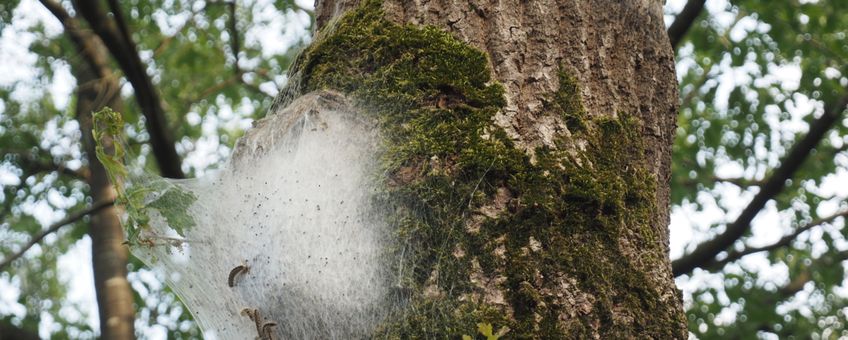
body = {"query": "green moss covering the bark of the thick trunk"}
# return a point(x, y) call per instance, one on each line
point(553, 225)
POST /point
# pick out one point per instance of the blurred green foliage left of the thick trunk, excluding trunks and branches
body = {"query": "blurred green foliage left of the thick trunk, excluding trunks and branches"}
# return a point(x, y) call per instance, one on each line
point(211, 93)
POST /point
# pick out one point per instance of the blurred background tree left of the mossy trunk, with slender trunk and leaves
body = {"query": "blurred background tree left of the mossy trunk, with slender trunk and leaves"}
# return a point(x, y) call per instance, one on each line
point(216, 71)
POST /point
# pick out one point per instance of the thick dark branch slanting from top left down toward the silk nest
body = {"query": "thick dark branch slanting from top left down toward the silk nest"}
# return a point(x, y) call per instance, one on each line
point(113, 34)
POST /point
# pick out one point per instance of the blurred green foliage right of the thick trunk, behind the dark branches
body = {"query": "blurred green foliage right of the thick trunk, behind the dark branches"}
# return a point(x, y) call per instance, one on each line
point(753, 76)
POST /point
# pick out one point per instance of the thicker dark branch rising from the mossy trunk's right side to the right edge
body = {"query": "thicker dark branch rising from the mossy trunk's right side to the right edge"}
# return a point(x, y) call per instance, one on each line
point(706, 252)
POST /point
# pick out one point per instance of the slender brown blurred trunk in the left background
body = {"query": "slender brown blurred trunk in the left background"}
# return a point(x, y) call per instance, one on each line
point(109, 254)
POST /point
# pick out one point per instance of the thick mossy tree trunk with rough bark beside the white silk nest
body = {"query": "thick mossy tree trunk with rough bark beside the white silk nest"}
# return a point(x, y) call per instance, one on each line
point(528, 154)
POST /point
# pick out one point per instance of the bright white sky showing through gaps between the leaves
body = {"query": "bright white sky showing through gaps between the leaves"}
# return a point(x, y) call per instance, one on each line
point(688, 225)
